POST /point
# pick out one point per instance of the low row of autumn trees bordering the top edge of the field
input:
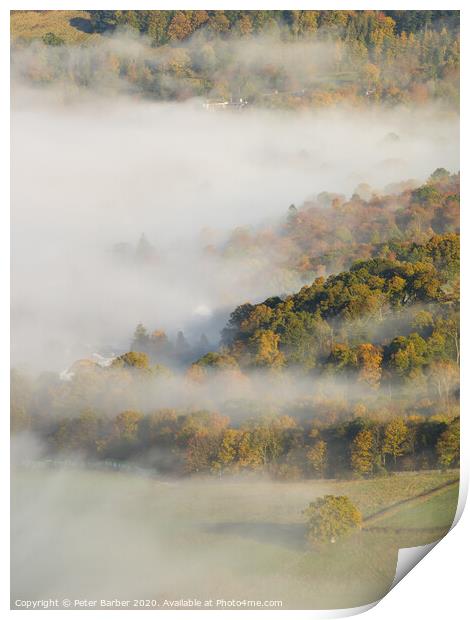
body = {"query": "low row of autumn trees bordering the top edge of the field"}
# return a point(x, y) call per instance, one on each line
point(176, 442)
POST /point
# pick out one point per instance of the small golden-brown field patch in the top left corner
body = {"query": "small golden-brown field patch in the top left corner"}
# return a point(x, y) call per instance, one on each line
point(71, 26)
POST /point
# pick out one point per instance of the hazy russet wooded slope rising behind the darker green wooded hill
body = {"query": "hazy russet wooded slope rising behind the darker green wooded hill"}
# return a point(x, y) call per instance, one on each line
point(329, 233)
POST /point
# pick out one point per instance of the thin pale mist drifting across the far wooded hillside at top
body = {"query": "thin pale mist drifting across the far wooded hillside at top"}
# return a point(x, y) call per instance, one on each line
point(252, 67)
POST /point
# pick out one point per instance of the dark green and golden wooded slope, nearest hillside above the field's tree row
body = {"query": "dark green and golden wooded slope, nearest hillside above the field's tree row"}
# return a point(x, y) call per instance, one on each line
point(383, 321)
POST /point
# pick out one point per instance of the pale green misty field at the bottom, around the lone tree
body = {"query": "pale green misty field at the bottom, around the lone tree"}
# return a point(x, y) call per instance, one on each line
point(99, 534)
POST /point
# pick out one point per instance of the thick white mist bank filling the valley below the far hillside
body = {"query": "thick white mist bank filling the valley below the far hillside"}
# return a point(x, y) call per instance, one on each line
point(91, 170)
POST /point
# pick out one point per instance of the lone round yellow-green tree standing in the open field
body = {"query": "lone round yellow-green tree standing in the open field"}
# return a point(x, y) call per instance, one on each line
point(330, 517)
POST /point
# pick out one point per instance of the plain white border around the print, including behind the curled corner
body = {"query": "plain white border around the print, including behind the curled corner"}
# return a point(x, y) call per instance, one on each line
point(439, 587)
